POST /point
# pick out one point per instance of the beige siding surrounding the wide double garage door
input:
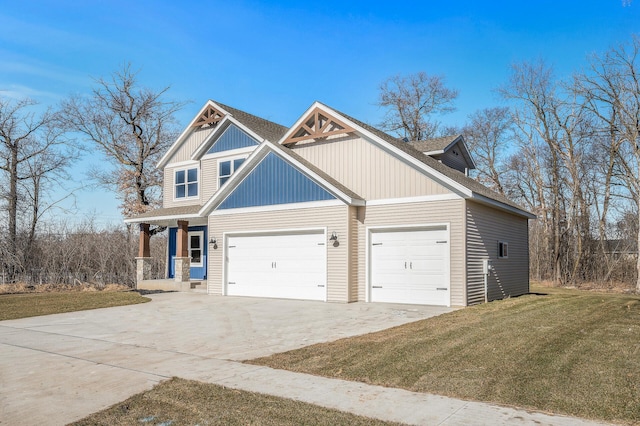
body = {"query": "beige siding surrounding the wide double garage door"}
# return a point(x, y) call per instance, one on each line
point(333, 218)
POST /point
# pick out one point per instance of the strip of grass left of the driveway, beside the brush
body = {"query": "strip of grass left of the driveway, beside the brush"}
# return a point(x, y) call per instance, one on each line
point(13, 306)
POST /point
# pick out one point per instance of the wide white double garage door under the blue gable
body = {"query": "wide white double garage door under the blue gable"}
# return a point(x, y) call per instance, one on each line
point(290, 266)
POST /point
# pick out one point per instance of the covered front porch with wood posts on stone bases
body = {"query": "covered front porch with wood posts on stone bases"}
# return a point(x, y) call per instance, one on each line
point(187, 249)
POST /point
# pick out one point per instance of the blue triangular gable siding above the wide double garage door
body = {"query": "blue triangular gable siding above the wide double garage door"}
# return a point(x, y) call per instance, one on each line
point(274, 181)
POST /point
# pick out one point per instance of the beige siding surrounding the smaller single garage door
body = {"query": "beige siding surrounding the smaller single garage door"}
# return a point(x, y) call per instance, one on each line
point(450, 212)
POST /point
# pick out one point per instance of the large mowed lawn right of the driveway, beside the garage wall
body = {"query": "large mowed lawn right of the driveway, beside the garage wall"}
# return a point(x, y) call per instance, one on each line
point(570, 352)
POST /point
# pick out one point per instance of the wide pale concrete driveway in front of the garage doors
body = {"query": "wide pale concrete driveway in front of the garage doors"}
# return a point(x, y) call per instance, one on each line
point(59, 368)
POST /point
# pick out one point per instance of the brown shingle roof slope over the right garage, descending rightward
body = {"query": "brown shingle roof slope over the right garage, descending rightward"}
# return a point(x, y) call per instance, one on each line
point(452, 174)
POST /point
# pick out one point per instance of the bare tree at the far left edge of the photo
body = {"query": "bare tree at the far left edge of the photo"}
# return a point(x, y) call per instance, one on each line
point(31, 147)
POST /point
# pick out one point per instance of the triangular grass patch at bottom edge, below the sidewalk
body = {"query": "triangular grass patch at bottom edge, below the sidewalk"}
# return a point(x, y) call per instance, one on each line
point(184, 402)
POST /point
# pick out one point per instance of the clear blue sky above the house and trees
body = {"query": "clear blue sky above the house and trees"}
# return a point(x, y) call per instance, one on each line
point(275, 58)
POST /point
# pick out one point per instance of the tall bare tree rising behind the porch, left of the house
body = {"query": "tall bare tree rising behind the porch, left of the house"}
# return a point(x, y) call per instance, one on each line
point(133, 127)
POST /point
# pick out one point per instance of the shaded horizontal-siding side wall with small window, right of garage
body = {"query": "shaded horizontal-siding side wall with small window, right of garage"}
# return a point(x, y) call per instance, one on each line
point(487, 226)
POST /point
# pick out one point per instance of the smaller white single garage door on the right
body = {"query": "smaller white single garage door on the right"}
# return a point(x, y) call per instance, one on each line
point(410, 266)
